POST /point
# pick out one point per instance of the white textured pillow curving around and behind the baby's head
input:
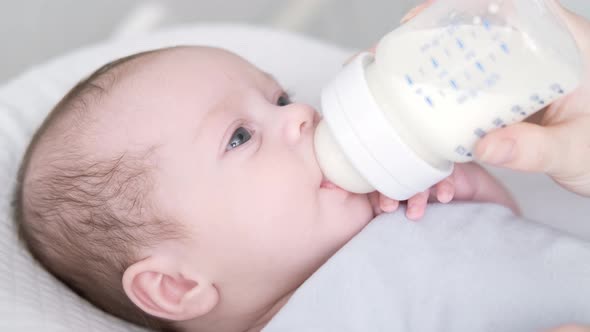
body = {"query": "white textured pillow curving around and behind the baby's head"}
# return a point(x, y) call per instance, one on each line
point(31, 299)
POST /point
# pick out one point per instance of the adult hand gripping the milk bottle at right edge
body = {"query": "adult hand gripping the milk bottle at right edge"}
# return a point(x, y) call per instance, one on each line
point(557, 140)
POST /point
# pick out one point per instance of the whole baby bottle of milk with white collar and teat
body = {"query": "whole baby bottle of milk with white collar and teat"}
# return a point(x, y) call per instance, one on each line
point(396, 122)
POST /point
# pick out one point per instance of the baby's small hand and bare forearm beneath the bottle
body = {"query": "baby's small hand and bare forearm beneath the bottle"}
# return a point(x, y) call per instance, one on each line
point(468, 182)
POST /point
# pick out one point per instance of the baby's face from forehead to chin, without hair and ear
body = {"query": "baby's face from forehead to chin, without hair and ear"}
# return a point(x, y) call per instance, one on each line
point(236, 166)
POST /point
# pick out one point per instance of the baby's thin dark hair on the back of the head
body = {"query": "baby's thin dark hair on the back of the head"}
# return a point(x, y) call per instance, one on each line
point(86, 216)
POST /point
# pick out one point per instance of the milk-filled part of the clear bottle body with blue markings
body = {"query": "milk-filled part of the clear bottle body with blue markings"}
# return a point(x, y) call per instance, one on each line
point(471, 79)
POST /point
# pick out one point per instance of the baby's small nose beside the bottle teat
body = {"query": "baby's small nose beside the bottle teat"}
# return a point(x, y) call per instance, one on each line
point(300, 119)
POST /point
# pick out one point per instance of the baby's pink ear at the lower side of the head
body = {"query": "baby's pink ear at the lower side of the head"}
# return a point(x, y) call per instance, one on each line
point(157, 287)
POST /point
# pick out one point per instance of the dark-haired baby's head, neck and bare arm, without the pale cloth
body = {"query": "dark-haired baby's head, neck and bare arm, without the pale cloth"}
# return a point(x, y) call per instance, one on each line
point(178, 189)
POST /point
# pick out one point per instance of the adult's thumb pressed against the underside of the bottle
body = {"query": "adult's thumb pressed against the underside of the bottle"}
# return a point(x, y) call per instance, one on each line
point(522, 146)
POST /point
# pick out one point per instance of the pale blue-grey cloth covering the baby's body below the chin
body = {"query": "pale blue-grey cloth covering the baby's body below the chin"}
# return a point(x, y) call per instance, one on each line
point(466, 267)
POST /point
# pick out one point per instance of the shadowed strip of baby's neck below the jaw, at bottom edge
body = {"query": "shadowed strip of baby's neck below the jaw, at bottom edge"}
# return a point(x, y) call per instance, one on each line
point(252, 322)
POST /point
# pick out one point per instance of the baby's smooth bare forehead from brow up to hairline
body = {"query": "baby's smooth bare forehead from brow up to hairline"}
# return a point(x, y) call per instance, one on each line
point(171, 93)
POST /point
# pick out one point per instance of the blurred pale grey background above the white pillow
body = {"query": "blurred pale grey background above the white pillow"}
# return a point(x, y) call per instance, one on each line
point(32, 31)
